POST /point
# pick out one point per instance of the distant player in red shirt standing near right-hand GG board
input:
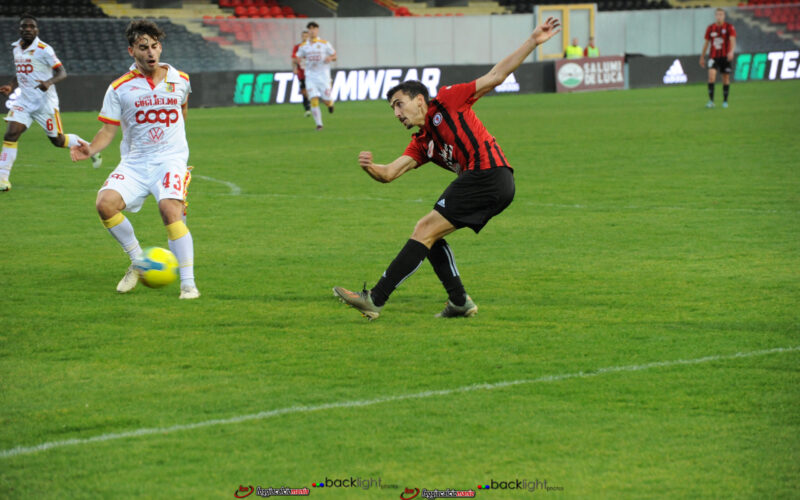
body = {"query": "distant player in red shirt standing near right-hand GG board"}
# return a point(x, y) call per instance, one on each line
point(721, 36)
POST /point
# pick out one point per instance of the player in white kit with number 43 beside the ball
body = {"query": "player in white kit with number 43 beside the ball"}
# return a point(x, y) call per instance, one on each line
point(150, 102)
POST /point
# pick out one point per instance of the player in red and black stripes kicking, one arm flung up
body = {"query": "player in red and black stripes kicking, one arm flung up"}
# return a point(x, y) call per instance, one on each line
point(451, 136)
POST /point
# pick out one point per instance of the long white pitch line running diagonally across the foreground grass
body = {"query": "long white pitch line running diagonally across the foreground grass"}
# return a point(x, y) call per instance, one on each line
point(25, 450)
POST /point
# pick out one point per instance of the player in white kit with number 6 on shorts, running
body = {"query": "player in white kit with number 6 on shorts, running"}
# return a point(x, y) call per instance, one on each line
point(37, 71)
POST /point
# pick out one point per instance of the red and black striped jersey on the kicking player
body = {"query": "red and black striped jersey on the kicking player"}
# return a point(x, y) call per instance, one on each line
point(453, 137)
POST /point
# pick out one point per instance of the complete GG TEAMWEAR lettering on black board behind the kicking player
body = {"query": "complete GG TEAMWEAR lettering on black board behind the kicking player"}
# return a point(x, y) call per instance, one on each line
point(347, 85)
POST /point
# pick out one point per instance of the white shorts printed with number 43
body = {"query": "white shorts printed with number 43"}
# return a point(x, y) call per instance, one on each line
point(165, 179)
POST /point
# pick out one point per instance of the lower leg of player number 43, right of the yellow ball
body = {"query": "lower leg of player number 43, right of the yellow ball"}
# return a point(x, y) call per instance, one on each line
point(180, 243)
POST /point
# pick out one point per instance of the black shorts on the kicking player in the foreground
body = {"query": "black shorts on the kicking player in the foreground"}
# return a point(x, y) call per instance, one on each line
point(476, 196)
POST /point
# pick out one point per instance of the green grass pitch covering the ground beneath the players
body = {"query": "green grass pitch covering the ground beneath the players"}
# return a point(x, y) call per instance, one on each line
point(646, 229)
